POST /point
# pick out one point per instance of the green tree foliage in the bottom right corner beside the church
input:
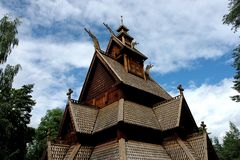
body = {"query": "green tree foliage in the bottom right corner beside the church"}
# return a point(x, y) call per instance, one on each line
point(230, 148)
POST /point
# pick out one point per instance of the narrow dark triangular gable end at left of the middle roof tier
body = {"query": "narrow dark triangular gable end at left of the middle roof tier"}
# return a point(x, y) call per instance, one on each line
point(67, 131)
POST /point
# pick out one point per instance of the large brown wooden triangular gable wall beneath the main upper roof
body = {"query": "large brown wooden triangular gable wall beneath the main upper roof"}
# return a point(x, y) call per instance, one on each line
point(99, 84)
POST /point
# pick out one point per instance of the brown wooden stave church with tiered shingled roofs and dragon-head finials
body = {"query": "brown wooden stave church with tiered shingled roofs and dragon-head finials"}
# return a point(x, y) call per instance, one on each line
point(123, 114)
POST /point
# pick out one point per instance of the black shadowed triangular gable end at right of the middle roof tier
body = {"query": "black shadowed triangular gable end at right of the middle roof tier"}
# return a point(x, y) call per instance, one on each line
point(187, 123)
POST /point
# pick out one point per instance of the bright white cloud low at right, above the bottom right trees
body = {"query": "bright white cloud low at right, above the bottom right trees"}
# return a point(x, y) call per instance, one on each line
point(213, 105)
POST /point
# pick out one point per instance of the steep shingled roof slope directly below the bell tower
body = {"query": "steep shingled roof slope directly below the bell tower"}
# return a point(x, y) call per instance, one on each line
point(134, 81)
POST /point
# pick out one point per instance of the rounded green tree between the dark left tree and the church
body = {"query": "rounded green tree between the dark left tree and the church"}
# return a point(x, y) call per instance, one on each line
point(47, 130)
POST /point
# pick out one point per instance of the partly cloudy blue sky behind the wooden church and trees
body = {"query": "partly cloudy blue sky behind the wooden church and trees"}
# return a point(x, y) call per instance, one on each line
point(185, 40)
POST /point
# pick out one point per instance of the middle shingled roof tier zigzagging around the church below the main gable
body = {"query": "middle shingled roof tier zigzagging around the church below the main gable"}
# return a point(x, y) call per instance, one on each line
point(163, 116)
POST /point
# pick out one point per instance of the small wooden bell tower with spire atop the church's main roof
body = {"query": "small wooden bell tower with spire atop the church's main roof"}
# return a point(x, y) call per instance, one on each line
point(122, 48)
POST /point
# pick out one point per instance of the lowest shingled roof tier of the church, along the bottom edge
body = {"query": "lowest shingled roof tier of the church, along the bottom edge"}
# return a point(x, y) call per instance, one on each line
point(173, 148)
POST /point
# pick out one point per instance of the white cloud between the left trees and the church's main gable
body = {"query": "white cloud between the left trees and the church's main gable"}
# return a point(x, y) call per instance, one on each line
point(47, 65)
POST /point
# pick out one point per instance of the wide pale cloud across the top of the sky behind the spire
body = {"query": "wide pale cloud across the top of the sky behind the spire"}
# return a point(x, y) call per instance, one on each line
point(173, 34)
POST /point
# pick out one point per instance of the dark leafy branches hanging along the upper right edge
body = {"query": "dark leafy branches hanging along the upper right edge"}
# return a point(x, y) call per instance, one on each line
point(233, 18)
